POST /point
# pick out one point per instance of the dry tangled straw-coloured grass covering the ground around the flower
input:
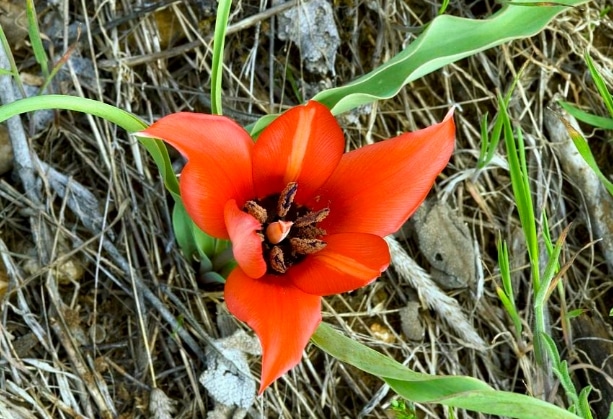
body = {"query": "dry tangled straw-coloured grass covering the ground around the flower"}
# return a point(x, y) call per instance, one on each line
point(103, 316)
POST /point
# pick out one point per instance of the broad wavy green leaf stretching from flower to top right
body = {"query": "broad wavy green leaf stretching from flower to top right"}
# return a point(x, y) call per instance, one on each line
point(435, 48)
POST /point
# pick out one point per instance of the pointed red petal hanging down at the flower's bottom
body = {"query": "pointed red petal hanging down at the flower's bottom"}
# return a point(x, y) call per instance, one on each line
point(283, 317)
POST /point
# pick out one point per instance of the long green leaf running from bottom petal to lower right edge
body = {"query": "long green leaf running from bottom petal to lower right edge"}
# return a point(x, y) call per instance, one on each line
point(454, 391)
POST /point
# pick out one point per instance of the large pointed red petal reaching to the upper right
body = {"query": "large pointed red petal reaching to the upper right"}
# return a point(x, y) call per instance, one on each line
point(376, 188)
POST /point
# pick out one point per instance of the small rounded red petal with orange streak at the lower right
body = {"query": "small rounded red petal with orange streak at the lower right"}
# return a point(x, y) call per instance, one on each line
point(349, 261)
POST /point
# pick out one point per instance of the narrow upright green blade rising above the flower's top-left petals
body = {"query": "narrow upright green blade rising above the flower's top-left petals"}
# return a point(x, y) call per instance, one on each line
point(219, 39)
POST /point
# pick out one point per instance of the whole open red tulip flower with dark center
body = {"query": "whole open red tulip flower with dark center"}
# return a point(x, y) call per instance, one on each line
point(305, 219)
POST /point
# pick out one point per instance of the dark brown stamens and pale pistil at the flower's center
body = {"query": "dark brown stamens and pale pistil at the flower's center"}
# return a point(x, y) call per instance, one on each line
point(289, 231)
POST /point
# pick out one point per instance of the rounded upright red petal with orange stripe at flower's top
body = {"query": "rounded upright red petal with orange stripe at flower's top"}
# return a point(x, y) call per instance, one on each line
point(302, 145)
